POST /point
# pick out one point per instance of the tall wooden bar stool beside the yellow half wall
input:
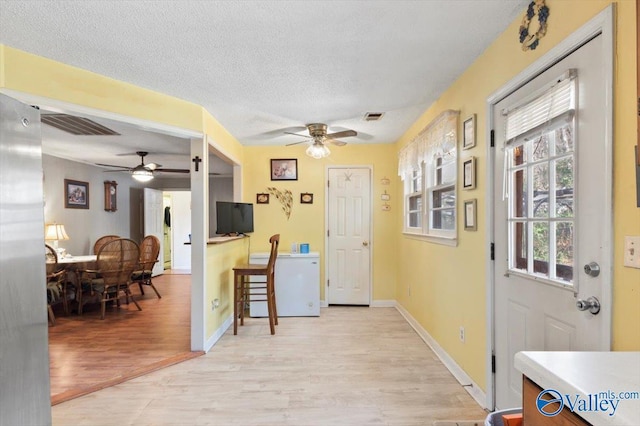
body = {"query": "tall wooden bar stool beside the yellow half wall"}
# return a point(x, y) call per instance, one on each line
point(246, 290)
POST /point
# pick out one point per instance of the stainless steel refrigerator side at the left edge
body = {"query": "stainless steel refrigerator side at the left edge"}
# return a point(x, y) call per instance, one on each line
point(24, 351)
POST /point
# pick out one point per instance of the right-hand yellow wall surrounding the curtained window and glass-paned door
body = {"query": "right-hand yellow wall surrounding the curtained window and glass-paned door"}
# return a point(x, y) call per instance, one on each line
point(448, 284)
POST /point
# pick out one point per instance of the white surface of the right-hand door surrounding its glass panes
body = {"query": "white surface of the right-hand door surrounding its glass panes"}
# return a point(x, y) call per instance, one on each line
point(531, 312)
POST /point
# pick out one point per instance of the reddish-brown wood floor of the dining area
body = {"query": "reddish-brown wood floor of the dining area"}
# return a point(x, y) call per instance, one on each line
point(87, 353)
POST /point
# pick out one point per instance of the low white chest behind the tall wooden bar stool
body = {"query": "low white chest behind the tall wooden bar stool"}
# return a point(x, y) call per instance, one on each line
point(297, 282)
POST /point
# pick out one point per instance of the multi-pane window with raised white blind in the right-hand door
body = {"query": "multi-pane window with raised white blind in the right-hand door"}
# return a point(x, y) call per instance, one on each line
point(540, 181)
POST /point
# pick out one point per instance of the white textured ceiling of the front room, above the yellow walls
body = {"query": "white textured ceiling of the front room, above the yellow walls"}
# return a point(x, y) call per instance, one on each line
point(265, 67)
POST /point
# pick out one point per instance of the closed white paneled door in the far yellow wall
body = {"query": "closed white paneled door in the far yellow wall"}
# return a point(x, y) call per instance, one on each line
point(349, 239)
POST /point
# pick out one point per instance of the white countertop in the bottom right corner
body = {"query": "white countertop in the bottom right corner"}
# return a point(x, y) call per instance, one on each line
point(581, 374)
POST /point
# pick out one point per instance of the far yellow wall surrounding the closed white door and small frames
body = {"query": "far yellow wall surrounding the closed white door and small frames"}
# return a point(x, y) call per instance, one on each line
point(307, 221)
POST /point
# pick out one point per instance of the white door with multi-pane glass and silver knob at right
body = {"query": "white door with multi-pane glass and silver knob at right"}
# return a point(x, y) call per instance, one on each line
point(549, 199)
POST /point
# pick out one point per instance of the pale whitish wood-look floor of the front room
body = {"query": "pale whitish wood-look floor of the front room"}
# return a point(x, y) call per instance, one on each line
point(350, 366)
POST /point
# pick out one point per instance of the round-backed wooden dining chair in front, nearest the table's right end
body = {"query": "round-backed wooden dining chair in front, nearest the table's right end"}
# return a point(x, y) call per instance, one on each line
point(116, 261)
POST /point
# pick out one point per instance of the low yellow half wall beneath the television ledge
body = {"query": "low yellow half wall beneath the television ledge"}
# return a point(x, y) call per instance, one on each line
point(221, 259)
